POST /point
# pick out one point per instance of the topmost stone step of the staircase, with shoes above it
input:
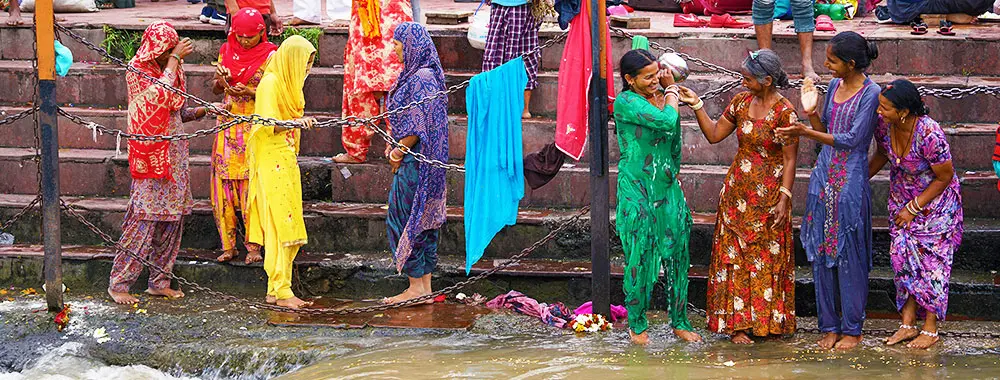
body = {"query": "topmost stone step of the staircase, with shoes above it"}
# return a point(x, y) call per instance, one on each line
point(969, 53)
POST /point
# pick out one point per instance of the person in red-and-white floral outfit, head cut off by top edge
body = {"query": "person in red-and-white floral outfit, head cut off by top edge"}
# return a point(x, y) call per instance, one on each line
point(370, 68)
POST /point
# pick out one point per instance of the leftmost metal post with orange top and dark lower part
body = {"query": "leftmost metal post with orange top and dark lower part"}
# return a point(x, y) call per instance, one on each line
point(48, 127)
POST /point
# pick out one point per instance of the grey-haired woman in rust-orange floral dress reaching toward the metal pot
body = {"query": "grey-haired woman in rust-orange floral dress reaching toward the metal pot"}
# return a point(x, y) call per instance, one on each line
point(751, 285)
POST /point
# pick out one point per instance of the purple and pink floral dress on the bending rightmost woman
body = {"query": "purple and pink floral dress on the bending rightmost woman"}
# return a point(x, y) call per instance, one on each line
point(922, 252)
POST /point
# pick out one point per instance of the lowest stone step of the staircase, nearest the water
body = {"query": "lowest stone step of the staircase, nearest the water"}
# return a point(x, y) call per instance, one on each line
point(972, 294)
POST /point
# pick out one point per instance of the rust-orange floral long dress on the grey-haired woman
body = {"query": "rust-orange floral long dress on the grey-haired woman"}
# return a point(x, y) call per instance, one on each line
point(751, 285)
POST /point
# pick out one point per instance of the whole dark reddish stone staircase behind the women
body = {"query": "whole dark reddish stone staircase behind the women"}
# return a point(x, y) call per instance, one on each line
point(344, 211)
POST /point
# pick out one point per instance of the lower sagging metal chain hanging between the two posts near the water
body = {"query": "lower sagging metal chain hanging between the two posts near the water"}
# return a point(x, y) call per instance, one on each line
point(69, 209)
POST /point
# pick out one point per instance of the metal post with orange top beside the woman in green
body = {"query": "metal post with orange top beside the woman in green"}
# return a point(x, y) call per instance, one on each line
point(599, 185)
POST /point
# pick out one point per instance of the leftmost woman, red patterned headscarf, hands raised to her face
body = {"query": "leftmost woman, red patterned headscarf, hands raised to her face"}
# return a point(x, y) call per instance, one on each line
point(160, 195)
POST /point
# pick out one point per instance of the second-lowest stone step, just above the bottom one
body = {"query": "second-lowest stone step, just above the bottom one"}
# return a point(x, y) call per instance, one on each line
point(355, 227)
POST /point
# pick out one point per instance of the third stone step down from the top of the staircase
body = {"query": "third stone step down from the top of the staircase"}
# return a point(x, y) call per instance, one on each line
point(968, 140)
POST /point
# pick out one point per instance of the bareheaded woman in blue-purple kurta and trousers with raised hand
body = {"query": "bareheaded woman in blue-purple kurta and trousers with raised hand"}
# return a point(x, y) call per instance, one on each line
point(836, 229)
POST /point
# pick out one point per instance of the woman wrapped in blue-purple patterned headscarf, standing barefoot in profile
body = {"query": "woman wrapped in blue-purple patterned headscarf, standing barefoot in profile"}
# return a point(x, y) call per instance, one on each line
point(417, 197)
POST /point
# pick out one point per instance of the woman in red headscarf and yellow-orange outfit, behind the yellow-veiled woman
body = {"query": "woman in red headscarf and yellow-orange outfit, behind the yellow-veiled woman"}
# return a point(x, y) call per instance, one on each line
point(241, 65)
